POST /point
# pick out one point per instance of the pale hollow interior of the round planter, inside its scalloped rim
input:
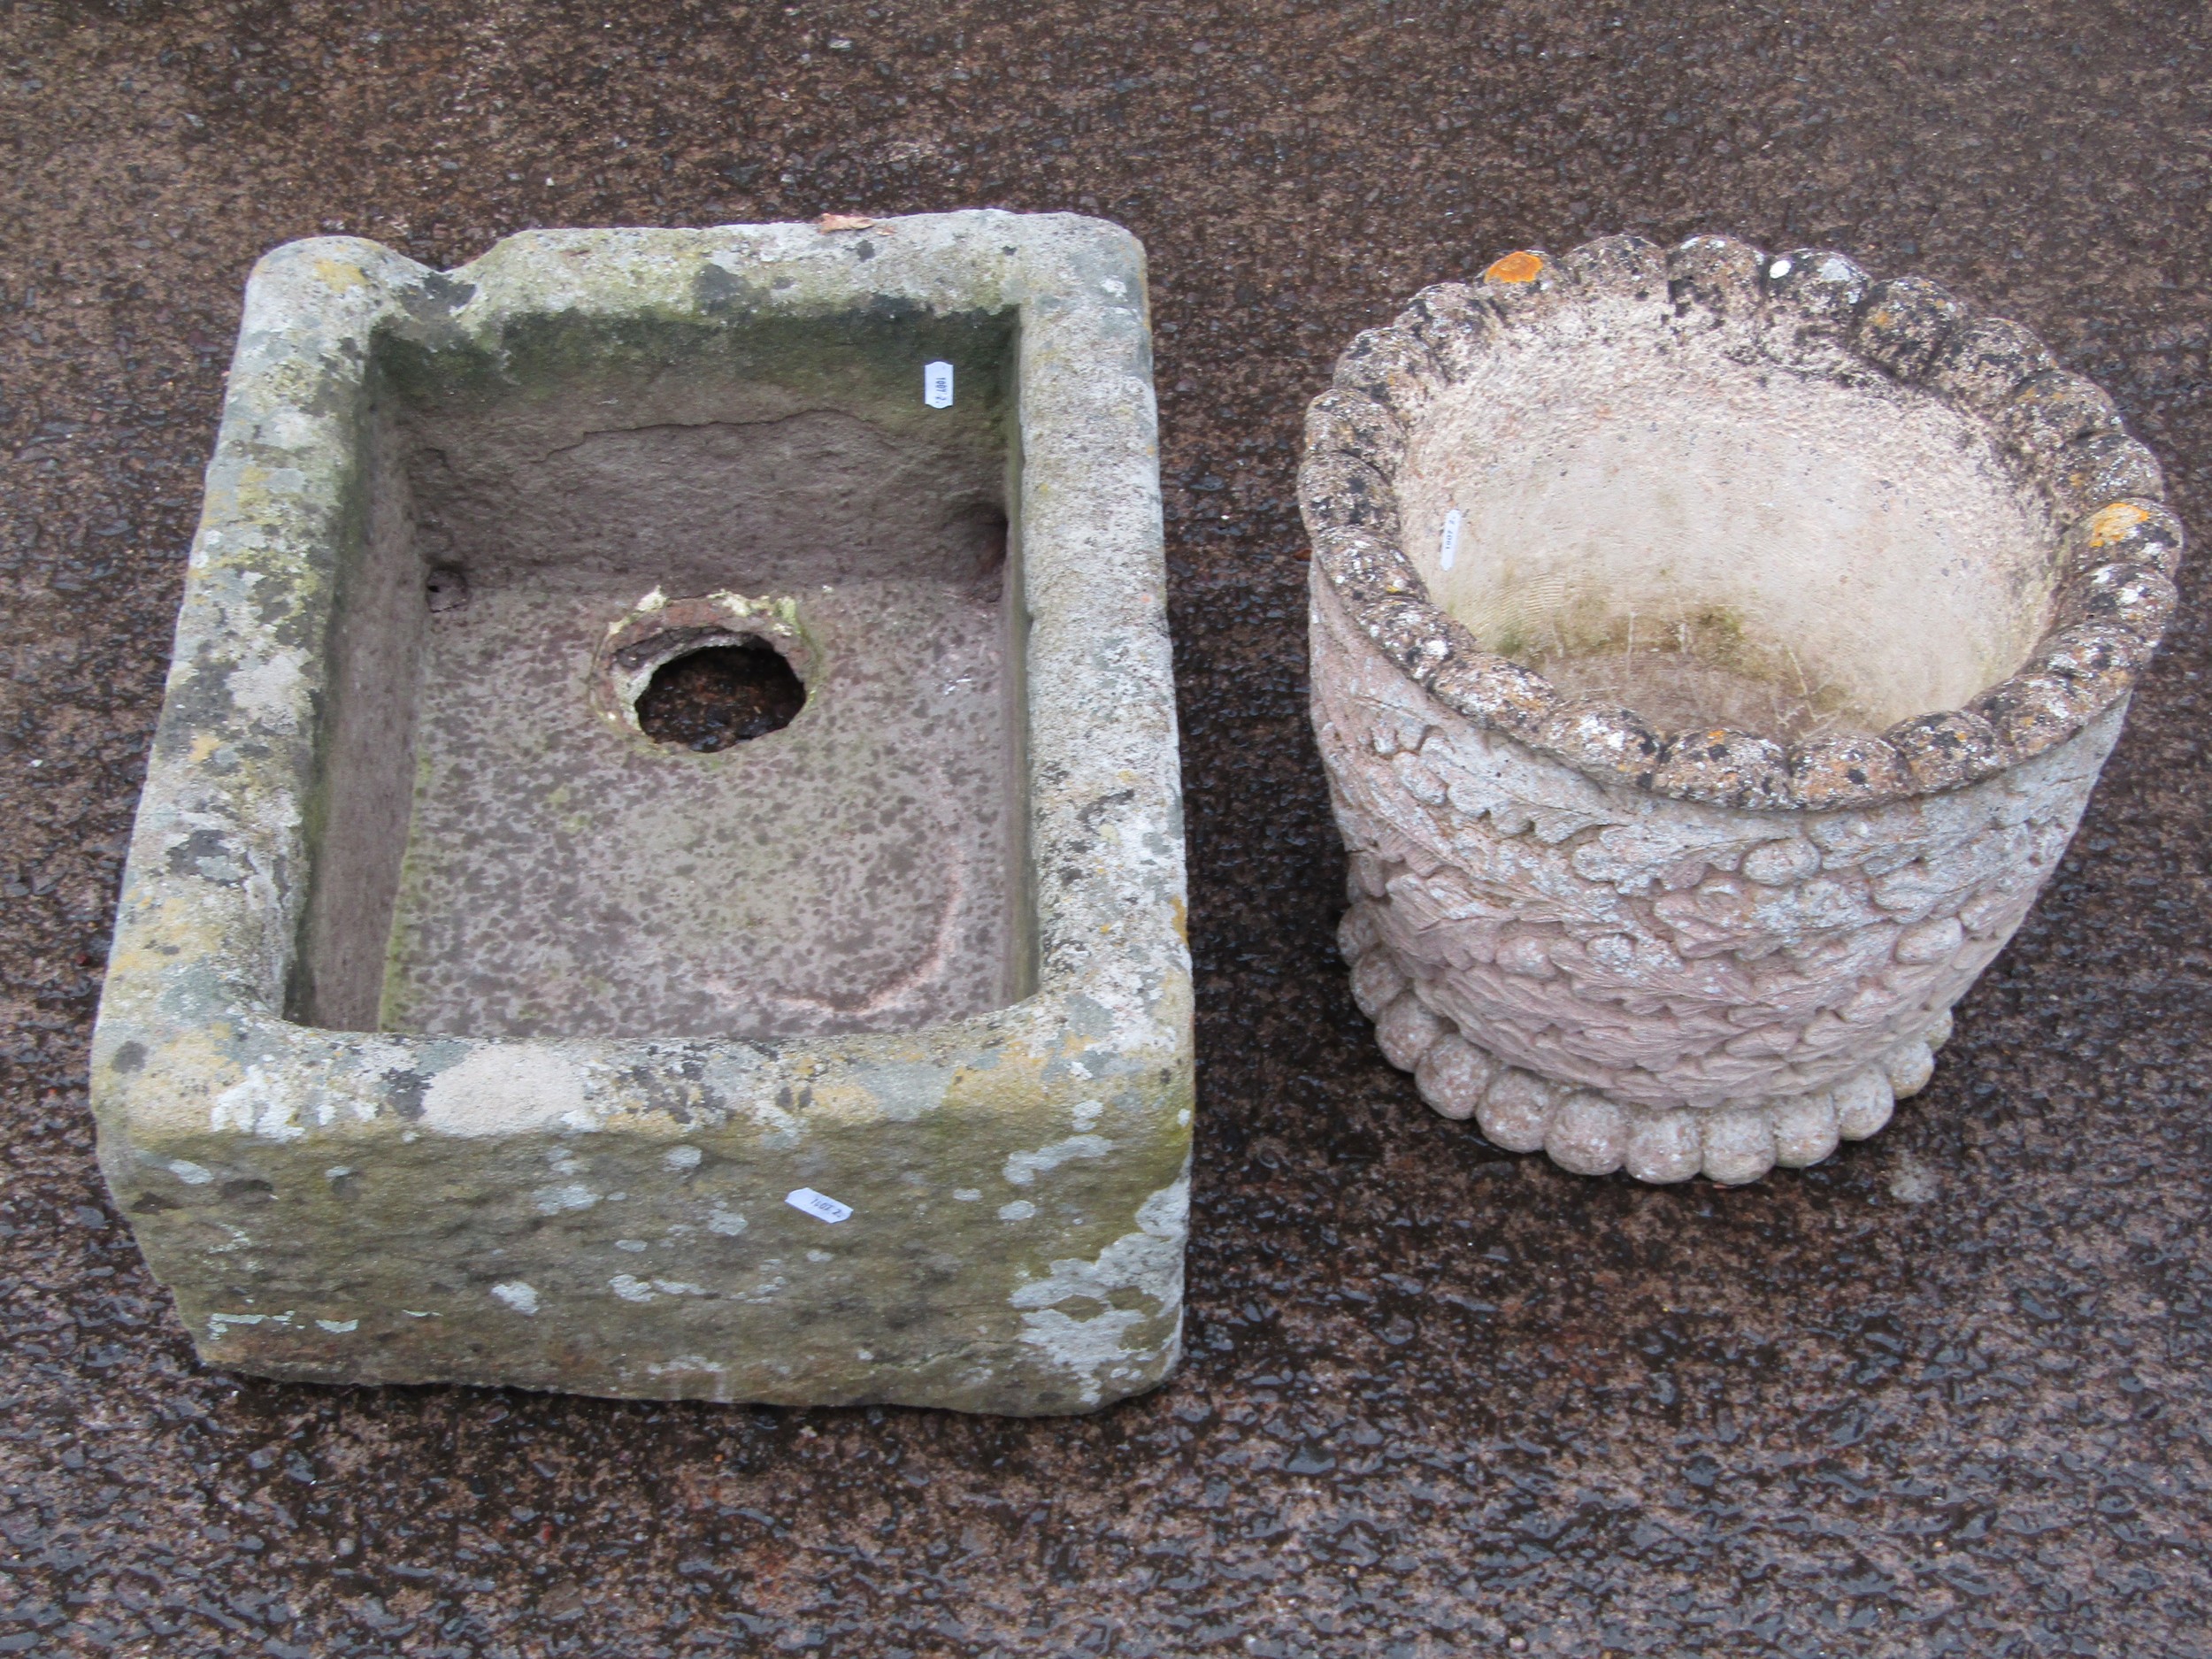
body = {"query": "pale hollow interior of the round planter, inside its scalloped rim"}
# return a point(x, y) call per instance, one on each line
point(1713, 541)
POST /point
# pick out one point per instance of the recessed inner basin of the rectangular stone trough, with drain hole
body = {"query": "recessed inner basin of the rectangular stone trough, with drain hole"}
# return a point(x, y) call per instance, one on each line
point(676, 691)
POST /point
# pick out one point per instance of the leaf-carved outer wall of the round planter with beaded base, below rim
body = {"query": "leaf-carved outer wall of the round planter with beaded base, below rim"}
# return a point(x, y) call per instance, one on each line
point(1550, 924)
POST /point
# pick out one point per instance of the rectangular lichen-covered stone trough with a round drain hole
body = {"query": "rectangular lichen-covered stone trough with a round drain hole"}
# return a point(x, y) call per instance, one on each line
point(662, 862)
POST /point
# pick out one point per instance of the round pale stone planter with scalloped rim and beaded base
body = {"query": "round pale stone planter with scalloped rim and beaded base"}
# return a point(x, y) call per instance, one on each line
point(1713, 656)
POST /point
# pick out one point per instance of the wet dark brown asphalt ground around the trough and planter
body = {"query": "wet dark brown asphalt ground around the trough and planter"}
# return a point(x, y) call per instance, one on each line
point(1943, 1395)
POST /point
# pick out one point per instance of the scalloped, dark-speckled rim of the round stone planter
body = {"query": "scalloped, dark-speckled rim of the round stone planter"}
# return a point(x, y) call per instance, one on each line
point(2118, 541)
